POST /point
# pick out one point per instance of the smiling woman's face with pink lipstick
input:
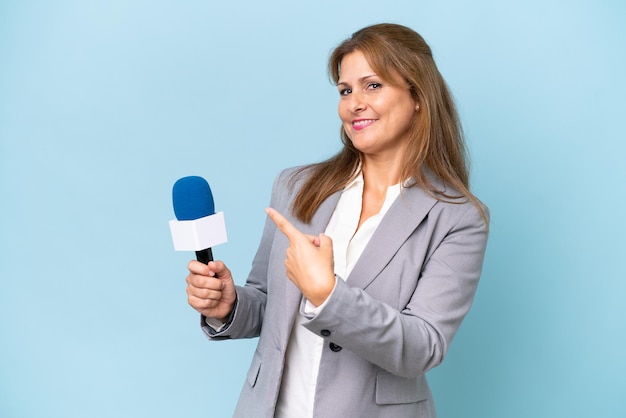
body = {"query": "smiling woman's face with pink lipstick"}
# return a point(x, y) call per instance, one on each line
point(376, 115)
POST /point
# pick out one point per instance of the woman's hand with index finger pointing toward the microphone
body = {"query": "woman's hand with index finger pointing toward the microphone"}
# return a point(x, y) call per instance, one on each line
point(308, 261)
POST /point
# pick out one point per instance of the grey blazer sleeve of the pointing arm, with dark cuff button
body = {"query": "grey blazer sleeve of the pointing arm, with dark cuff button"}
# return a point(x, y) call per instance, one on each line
point(411, 340)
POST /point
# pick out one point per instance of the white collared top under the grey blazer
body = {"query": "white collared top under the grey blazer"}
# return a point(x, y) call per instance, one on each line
point(304, 351)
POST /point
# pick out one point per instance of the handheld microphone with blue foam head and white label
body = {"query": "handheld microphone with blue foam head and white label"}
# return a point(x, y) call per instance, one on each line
point(197, 227)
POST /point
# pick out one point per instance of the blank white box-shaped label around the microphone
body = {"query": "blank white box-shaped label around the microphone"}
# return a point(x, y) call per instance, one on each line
point(199, 234)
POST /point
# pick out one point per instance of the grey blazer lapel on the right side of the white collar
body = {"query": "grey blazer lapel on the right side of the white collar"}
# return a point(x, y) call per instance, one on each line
point(402, 218)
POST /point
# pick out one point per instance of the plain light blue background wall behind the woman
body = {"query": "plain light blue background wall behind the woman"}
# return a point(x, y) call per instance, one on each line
point(104, 104)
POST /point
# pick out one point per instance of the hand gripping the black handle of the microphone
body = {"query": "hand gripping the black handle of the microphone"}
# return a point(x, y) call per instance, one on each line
point(210, 289)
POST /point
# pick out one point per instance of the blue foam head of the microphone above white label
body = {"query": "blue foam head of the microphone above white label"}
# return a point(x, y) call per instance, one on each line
point(192, 198)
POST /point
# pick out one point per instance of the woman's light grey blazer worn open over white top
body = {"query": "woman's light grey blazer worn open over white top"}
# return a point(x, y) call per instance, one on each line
point(390, 321)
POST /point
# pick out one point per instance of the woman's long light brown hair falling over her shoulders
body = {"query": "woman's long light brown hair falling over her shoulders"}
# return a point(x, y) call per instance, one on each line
point(436, 138)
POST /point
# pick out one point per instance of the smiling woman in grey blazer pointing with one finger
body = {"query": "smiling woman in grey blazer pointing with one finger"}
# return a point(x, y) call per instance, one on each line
point(368, 261)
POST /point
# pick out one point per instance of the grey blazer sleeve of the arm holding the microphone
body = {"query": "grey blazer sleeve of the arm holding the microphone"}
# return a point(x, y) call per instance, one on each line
point(246, 319)
